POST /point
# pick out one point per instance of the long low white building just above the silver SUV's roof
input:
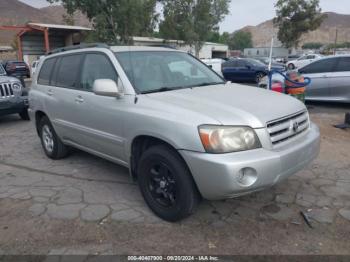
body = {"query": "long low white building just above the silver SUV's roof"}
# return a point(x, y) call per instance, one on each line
point(209, 50)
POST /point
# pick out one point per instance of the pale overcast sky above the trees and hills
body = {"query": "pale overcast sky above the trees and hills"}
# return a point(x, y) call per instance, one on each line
point(249, 12)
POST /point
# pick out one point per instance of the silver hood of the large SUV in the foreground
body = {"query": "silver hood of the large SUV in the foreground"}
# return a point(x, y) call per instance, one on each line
point(229, 104)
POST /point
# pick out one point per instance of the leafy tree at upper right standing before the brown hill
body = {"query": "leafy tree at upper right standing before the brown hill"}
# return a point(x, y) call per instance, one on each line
point(295, 18)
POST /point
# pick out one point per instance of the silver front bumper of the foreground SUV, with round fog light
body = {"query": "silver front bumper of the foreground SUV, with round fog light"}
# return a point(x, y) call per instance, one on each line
point(217, 176)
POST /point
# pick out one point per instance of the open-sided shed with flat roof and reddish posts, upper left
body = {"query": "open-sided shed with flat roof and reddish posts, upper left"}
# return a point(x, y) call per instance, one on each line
point(37, 39)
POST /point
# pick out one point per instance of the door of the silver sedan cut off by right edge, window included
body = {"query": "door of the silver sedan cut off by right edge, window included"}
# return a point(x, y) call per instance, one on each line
point(339, 80)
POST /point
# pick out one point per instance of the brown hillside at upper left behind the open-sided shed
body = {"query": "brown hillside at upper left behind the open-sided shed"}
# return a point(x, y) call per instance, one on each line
point(14, 12)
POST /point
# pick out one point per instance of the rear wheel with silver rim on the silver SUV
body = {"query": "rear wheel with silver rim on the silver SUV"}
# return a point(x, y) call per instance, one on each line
point(51, 143)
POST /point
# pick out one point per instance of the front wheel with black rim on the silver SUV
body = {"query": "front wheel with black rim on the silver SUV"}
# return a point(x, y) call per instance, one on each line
point(166, 184)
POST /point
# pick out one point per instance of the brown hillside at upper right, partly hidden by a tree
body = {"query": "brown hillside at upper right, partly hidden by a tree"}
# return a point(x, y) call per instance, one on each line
point(325, 34)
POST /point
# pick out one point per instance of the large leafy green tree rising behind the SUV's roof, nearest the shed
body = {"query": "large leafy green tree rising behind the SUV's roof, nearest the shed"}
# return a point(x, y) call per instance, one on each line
point(116, 21)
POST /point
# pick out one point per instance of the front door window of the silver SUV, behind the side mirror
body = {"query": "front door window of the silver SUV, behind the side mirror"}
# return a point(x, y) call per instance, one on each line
point(96, 66)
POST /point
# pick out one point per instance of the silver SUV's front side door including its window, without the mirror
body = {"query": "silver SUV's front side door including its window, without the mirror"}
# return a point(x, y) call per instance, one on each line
point(99, 118)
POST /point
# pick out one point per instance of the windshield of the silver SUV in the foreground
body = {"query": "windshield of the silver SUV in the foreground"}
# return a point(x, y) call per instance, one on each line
point(155, 71)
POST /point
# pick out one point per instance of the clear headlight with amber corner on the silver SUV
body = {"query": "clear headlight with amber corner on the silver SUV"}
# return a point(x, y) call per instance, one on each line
point(227, 139)
